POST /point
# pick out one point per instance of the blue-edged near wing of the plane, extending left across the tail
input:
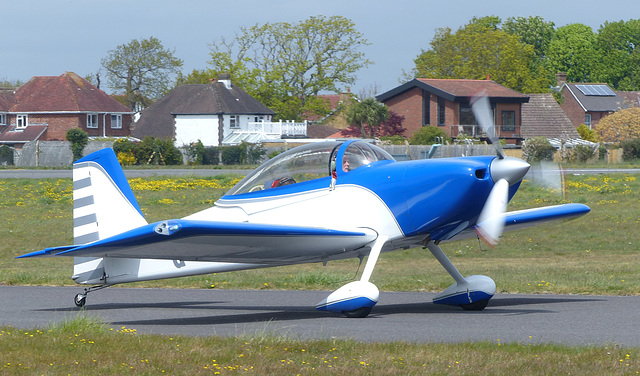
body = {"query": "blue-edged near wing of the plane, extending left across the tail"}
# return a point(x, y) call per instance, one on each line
point(190, 240)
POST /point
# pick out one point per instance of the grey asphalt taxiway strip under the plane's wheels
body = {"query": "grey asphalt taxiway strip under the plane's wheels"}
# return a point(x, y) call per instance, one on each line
point(399, 316)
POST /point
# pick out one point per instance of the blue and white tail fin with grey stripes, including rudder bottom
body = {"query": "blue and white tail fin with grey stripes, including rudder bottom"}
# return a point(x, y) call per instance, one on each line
point(103, 206)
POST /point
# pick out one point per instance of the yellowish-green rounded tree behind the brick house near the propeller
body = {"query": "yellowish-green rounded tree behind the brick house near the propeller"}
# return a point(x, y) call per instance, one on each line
point(475, 51)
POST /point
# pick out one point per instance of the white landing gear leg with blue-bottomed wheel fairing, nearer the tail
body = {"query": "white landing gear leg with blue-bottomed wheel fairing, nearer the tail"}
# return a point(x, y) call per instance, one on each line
point(356, 299)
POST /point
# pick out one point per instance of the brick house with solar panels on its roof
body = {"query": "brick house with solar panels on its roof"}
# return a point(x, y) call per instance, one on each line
point(587, 103)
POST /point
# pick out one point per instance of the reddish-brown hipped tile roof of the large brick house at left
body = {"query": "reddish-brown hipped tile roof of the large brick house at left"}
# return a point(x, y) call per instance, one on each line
point(65, 93)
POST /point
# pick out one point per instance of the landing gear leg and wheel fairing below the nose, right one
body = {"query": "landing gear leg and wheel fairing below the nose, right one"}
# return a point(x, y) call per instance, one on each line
point(471, 293)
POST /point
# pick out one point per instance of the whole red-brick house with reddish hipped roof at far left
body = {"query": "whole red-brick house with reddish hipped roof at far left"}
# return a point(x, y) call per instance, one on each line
point(46, 107)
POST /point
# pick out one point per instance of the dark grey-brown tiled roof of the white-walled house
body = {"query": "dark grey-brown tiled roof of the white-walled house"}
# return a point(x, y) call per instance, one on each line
point(214, 98)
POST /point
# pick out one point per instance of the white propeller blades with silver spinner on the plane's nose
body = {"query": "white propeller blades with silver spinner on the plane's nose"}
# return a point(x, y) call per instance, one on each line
point(505, 171)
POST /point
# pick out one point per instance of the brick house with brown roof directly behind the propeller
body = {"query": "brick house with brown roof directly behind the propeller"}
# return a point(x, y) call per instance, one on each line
point(445, 103)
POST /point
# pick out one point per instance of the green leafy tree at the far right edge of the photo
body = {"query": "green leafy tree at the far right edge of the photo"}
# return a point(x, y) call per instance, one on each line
point(618, 46)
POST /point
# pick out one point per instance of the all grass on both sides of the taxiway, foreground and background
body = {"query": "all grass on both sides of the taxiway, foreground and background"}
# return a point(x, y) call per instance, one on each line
point(595, 254)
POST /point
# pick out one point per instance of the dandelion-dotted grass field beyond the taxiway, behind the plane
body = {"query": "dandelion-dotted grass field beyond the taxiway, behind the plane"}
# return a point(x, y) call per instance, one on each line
point(595, 254)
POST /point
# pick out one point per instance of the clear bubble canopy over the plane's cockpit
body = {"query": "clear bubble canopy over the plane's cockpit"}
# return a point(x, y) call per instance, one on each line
point(310, 162)
